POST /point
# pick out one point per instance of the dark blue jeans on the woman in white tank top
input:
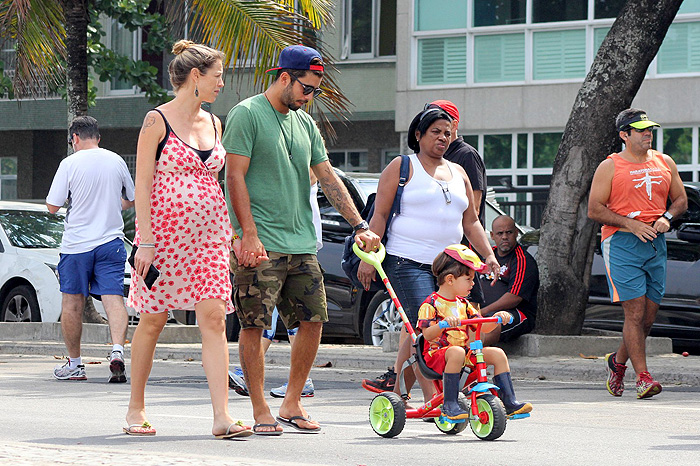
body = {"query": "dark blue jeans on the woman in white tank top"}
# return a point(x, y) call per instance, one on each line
point(412, 282)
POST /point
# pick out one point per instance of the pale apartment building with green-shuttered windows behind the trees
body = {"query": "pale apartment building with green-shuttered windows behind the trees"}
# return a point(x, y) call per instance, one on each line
point(513, 67)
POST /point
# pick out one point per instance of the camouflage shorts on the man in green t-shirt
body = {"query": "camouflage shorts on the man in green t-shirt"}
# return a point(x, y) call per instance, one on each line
point(292, 282)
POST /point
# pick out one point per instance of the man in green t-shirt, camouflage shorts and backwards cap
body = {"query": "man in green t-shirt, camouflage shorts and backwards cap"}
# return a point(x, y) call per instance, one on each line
point(269, 152)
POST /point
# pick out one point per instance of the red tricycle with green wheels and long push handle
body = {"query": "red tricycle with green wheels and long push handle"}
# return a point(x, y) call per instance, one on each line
point(487, 418)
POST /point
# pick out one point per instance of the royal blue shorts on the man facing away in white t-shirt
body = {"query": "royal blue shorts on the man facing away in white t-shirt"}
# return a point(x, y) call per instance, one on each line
point(97, 272)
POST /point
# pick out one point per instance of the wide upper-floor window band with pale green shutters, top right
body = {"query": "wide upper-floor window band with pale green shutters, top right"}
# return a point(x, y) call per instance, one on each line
point(483, 42)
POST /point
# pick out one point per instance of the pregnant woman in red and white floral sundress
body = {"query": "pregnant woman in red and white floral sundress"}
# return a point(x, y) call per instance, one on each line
point(184, 231)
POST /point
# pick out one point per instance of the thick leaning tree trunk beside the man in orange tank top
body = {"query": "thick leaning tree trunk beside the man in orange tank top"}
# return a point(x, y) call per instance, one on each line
point(567, 238)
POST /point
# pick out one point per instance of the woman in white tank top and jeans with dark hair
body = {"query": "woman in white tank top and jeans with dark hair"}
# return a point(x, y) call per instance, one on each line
point(437, 208)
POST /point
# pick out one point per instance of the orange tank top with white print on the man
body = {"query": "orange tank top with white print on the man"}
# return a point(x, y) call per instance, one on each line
point(639, 190)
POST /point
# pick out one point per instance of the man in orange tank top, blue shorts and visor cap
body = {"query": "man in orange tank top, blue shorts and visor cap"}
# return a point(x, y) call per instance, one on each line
point(628, 197)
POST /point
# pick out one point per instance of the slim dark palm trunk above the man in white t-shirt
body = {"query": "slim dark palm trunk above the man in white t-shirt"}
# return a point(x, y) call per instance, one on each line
point(77, 19)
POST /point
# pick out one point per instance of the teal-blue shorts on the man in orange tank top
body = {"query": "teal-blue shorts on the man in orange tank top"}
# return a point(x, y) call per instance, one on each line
point(635, 268)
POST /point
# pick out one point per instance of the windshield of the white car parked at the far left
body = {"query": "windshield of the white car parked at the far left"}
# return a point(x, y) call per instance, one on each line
point(31, 229)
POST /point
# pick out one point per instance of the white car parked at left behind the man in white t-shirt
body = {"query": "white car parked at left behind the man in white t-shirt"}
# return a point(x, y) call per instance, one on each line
point(30, 240)
